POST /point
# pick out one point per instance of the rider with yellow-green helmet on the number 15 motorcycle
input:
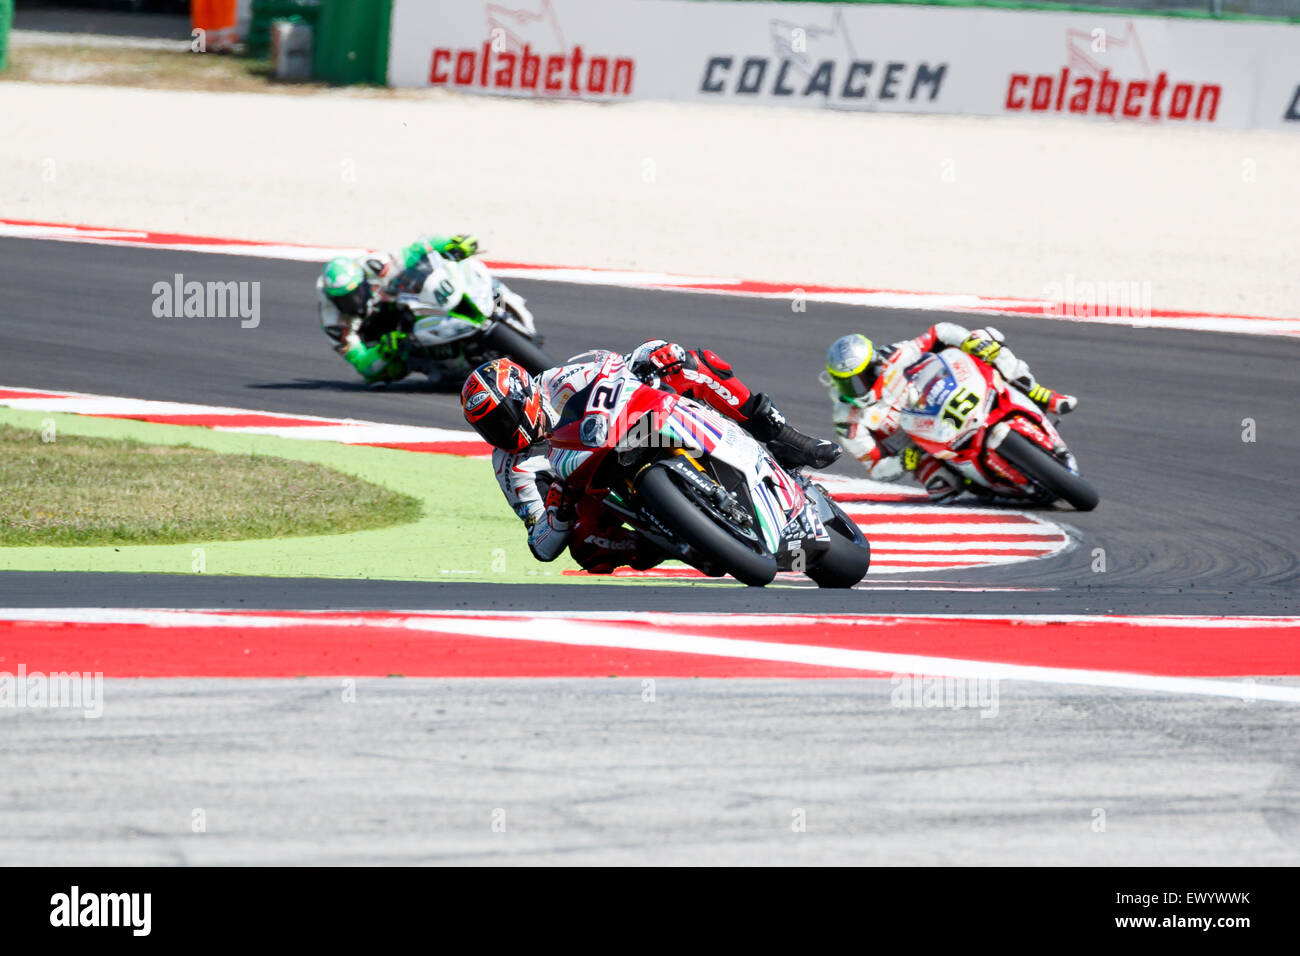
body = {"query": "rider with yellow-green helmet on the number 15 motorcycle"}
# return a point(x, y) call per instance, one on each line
point(869, 386)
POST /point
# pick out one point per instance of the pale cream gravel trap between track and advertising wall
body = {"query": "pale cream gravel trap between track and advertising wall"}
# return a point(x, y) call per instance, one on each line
point(987, 206)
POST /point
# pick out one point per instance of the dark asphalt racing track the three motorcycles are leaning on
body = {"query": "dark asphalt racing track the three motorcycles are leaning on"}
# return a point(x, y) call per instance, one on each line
point(1193, 517)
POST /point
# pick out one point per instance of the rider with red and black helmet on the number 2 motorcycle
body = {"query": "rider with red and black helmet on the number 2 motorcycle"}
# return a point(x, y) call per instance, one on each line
point(517, 414)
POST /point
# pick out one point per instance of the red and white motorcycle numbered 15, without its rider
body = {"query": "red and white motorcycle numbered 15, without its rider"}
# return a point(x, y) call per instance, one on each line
point(964, 413)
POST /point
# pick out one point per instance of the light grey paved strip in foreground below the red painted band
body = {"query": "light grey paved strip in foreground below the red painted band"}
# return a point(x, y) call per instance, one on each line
point(673, 772)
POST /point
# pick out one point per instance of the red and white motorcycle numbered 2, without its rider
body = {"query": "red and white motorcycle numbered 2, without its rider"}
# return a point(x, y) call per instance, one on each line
point(695, 483)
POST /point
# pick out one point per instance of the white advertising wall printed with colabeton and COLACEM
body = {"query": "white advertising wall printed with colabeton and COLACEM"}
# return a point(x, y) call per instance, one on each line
point(861, 58)
